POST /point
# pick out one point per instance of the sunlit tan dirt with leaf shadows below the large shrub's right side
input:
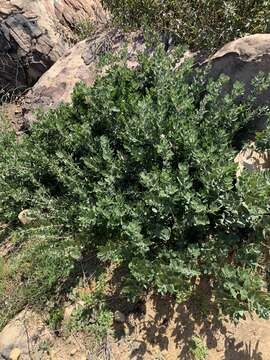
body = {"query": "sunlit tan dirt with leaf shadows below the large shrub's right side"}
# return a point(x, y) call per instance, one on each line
point(164, 332)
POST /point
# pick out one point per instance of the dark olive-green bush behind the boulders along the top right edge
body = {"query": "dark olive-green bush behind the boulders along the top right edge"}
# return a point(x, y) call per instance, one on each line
point(200, 24)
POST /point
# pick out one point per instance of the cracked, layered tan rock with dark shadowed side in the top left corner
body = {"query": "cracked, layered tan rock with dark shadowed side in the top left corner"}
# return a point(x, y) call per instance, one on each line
point(34, 34)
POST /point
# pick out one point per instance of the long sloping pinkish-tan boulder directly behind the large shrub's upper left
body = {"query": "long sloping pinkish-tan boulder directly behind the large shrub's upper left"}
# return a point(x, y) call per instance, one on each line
point(78, 64)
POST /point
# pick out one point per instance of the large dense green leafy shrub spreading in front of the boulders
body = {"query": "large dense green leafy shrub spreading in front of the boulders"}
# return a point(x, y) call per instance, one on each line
point(140, 168)
